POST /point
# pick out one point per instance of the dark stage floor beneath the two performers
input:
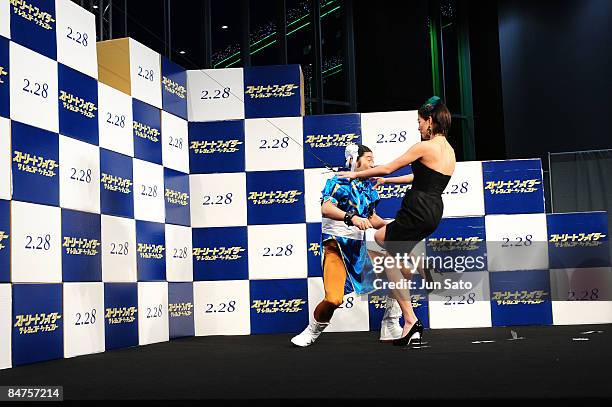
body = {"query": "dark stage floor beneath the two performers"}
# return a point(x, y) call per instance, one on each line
point(546, 363)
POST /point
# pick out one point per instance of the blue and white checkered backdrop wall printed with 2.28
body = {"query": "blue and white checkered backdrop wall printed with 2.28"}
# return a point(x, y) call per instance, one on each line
point(191, 205)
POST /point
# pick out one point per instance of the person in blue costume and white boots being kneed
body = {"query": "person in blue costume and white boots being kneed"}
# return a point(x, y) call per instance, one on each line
point(348, 209)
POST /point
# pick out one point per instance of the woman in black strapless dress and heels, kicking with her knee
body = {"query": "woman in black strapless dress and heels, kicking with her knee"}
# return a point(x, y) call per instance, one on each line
point(433, 163)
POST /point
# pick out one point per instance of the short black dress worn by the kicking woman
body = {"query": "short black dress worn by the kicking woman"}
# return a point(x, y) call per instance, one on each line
point(421, 210)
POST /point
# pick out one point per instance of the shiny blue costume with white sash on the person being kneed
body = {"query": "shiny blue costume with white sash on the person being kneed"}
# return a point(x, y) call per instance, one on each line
point(360, 196)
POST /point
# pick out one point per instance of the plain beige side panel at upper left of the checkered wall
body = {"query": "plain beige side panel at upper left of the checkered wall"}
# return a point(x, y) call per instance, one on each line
point(114, 64)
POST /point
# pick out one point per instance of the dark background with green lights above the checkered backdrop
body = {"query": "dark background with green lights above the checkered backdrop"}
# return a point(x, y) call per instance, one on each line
point(521, 78)
